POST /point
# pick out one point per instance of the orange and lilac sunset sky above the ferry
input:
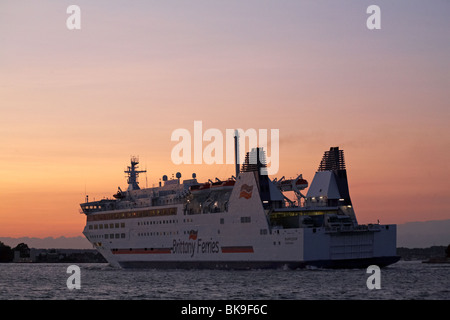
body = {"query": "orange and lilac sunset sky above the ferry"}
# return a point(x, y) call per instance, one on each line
point(76, 104)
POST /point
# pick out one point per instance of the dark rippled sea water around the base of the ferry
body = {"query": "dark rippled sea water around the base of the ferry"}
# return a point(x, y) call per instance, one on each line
point(403, 280)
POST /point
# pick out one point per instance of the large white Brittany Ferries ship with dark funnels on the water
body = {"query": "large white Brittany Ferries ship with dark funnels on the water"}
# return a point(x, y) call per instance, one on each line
point(246, 221)
